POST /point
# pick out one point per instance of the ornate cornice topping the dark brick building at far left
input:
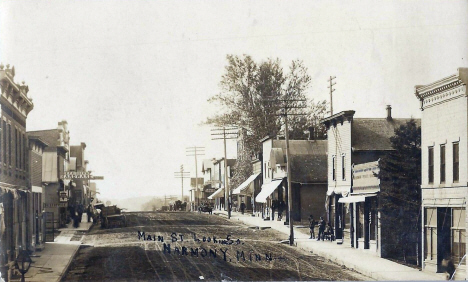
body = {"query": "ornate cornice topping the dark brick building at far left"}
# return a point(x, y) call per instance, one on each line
point(15, 94)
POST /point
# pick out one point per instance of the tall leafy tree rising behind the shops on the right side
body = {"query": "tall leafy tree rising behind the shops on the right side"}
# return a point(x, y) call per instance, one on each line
point(246, 99)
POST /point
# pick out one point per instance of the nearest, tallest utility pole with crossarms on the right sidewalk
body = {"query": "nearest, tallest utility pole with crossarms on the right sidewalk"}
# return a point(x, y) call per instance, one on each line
point(286, 105)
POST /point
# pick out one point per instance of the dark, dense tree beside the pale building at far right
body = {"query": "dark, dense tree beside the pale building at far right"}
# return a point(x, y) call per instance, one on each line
point(400, 200)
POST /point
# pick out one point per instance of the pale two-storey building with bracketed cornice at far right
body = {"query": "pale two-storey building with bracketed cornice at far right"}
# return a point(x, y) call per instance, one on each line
point(444, 145)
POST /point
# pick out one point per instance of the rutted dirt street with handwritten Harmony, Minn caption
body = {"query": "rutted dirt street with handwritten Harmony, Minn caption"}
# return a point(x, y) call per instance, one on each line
point(180, 246)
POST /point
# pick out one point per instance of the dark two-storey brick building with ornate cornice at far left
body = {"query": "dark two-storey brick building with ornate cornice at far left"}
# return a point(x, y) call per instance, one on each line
point(14, 179)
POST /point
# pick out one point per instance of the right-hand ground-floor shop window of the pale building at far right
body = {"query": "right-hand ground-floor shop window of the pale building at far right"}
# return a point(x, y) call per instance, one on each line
point(458, 235)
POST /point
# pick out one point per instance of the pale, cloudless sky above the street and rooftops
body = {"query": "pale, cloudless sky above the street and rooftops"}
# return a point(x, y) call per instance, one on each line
point(132, 78)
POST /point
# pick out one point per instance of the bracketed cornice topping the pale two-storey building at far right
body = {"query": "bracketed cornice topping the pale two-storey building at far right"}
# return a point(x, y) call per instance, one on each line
point(444, 90)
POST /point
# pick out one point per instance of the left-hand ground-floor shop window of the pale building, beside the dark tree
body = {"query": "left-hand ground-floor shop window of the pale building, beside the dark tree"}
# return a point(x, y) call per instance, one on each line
point(430, 234)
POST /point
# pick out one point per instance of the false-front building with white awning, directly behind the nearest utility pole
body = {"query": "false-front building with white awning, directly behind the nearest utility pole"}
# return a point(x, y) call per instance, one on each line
point(308, 178)
